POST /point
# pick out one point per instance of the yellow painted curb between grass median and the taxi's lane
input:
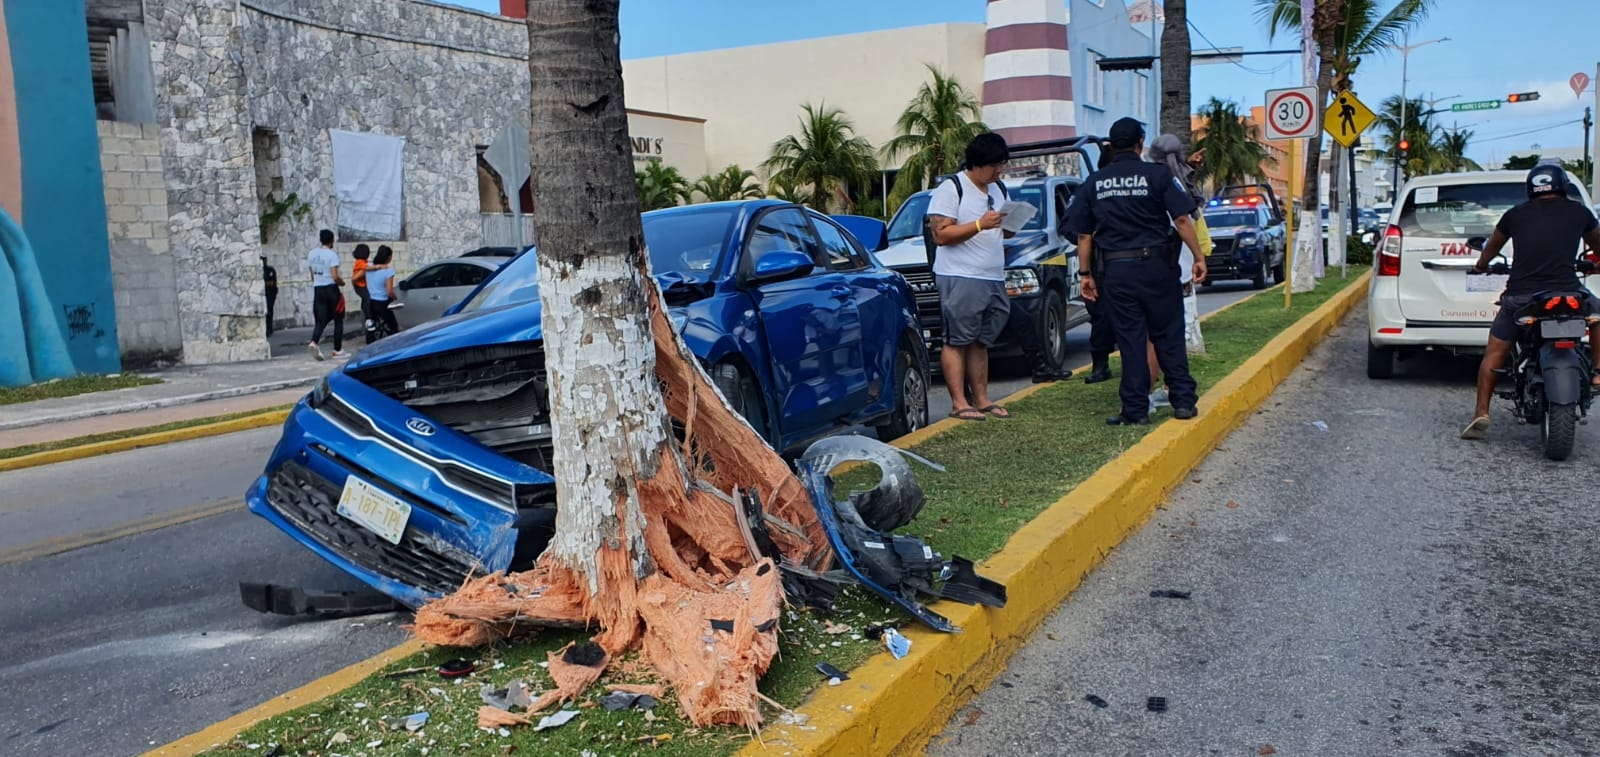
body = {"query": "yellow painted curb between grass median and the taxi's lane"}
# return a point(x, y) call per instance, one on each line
point(894, 707)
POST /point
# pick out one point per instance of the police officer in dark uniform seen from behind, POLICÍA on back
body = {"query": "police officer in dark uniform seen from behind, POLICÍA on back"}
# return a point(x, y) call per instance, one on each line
point(1129, 212)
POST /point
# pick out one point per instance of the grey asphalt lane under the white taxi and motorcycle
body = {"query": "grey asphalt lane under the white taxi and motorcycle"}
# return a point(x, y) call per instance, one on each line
point(1382, 588)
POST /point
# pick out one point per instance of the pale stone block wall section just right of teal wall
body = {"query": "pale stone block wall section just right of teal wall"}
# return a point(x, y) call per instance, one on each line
point(142, 262)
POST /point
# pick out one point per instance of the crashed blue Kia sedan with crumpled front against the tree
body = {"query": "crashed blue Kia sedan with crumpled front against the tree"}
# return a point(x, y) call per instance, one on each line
point(425, 460)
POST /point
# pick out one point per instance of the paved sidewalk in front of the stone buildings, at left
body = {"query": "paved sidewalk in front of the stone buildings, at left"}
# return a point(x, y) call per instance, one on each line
point(186, 393)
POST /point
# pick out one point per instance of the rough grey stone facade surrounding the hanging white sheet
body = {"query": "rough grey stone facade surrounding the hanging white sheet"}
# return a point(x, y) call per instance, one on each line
point(444, 79)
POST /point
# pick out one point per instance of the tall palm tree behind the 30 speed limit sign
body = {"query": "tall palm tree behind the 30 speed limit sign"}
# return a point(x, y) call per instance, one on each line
point(1346, 31)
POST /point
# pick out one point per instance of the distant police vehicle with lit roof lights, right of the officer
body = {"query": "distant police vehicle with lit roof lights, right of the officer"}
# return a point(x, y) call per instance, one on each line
point(1247, 241)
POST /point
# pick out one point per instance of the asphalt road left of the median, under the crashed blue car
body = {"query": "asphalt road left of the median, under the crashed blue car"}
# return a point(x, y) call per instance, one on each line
point(140, 638)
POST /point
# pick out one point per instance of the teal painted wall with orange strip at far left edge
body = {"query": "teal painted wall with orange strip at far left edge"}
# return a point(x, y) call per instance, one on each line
point(57, 306)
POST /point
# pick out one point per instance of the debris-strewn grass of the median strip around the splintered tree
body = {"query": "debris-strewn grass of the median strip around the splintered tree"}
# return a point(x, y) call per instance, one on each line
point(1001, 475)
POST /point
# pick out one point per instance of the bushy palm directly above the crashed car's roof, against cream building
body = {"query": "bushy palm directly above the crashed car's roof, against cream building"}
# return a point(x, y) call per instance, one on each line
point(826, 156)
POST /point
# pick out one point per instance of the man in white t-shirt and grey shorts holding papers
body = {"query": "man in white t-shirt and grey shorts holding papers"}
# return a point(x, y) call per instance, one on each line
point(970, 271)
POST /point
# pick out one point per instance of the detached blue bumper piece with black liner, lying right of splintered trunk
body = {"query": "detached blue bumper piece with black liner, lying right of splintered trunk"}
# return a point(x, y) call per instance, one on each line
point(894, 567)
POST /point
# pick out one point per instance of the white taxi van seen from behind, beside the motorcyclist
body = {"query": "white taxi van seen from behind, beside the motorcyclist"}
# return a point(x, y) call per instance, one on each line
point(1422, 295)
